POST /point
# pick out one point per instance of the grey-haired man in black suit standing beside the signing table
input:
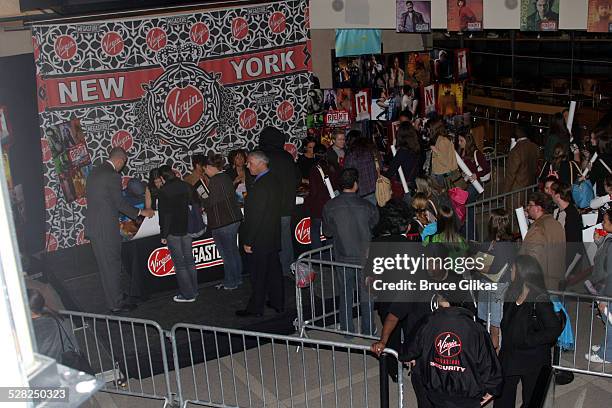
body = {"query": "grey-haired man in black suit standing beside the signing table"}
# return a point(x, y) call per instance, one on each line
point(260, 233)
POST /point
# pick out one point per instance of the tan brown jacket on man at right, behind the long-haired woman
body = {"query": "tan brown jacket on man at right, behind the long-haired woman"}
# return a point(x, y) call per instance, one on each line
point(545, 241)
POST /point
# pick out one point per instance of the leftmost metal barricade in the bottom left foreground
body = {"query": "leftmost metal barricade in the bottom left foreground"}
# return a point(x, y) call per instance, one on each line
point(128, 354)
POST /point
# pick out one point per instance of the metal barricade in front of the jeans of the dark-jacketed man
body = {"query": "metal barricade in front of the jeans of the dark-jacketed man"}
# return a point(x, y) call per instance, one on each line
point(320, 306)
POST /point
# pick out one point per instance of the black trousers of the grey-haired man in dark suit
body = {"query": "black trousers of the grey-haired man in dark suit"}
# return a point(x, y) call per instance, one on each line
point(266, 281)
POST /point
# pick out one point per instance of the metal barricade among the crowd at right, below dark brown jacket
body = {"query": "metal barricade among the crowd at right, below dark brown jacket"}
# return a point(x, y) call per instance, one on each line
point(478, 212)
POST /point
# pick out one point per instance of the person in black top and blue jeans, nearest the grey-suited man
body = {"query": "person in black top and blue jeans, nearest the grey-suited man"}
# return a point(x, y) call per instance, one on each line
point(175, 196)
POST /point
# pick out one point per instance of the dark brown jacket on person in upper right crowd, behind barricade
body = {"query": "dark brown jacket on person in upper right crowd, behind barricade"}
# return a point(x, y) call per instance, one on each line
point(521, 167)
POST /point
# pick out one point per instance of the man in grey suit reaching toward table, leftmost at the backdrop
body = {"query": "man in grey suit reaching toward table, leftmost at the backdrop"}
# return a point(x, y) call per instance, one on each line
point(104, 203)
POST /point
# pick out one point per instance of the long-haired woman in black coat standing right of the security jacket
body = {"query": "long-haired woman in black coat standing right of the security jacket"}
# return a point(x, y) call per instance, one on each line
point(529, 330)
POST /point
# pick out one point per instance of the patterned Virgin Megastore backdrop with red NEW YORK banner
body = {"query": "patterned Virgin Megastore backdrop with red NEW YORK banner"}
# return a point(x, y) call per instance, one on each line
point(163, 88)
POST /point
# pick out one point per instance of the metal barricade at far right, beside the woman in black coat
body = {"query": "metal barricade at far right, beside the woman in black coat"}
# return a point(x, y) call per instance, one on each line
point(591, 334)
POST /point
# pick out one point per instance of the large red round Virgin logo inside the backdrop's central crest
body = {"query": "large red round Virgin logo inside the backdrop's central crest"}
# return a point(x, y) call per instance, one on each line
point(184, 106)
